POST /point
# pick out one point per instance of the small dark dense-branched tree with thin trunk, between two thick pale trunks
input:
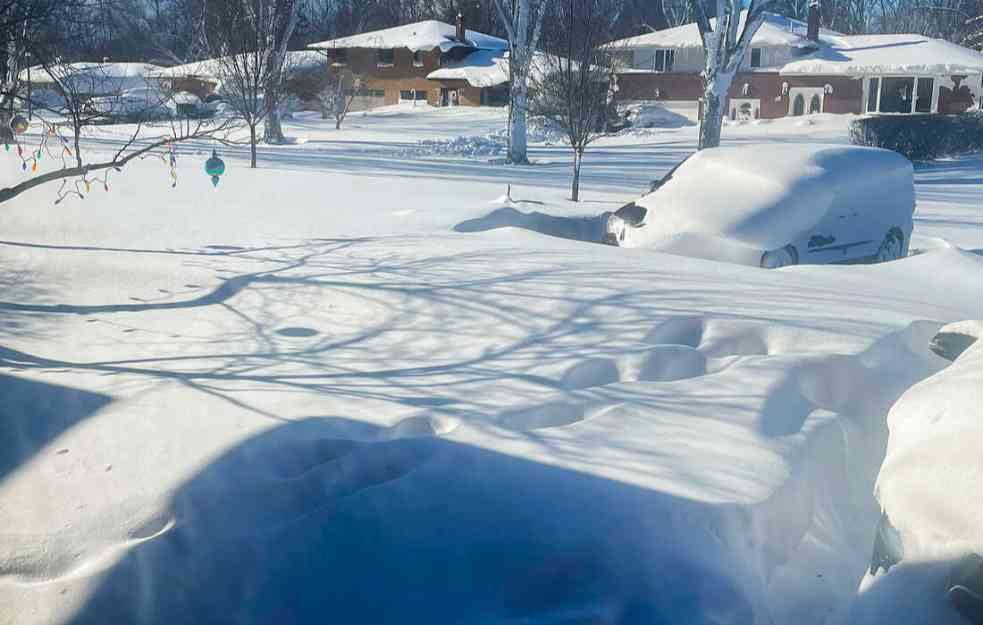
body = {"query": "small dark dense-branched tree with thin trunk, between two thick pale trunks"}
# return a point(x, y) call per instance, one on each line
point(572, 88)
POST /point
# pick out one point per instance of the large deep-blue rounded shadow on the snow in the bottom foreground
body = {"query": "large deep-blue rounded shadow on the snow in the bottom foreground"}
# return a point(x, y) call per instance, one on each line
point(304, 524)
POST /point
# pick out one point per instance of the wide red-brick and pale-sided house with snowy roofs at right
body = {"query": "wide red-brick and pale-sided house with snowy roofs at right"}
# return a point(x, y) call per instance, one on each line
point(796, 68)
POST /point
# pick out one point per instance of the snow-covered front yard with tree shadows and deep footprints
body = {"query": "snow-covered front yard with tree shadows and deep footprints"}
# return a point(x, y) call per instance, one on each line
point(302, 397)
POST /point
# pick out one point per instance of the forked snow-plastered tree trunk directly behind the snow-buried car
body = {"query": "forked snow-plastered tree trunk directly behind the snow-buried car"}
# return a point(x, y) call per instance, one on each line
point(726, 39)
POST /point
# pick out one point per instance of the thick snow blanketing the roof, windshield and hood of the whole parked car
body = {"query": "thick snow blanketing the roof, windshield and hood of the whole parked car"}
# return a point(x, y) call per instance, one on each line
point(765, 196)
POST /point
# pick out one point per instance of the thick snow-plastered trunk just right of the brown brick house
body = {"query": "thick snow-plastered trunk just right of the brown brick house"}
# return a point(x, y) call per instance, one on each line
point(522, 30)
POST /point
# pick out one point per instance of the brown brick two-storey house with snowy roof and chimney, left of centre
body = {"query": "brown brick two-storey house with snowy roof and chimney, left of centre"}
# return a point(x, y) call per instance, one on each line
point(427, 61)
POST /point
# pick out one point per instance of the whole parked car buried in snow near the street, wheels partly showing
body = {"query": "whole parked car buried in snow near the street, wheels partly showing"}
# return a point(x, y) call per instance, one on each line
point(777, 205)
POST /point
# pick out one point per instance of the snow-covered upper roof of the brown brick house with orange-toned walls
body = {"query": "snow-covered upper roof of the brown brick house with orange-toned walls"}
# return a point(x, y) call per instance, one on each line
point(425, 35)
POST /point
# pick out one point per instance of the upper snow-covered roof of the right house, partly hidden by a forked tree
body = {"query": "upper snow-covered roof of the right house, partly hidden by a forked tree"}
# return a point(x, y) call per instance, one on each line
point(776, 30)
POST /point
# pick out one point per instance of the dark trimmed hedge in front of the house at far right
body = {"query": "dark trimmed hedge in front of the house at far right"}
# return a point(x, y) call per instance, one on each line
point(921, 137)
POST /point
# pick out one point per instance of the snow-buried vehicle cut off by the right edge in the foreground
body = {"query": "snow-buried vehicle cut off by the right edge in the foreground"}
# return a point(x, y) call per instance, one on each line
point(929, 543)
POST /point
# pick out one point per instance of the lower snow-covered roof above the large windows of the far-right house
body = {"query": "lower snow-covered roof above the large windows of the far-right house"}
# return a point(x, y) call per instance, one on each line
point(863, 54)
